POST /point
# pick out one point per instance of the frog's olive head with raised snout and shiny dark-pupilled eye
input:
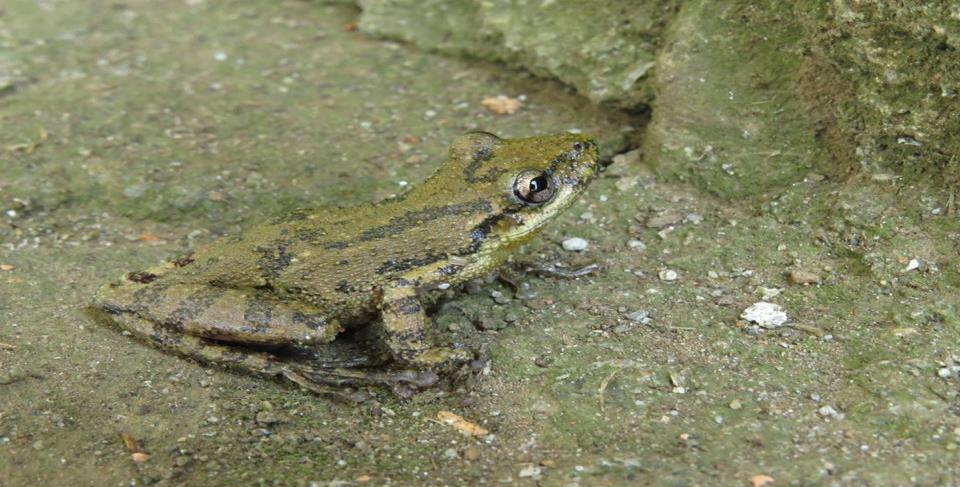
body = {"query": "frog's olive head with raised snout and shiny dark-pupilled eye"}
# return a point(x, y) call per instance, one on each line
point(527, 181)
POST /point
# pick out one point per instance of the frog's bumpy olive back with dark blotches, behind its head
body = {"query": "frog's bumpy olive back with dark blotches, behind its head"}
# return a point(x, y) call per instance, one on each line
point(334, 256)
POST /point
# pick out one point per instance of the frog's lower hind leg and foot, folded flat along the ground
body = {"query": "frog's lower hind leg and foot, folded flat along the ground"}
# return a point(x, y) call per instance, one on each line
point(318, 379)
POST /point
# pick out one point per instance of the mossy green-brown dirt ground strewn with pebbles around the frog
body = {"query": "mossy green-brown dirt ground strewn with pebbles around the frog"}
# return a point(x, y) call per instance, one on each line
point(133, 131)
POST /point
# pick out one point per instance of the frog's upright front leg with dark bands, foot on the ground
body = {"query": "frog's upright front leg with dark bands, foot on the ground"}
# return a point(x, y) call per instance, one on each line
point(404, 324)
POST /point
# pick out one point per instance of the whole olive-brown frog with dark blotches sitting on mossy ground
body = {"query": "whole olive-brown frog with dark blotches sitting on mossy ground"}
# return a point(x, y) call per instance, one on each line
point(273, 298)
